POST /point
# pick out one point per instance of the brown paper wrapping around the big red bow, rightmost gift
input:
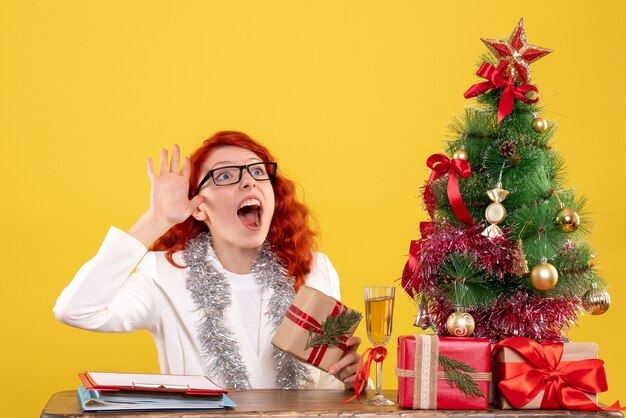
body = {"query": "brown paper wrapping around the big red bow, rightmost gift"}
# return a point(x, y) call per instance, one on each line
point(505, 355)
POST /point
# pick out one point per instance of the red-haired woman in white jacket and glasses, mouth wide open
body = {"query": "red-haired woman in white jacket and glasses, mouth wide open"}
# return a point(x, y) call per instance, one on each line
point(229, 247)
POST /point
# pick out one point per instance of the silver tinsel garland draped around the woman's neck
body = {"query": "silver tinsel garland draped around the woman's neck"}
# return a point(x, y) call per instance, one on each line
point(211, 294)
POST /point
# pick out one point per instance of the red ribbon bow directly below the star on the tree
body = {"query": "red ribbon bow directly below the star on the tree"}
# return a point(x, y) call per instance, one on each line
point(510, 91)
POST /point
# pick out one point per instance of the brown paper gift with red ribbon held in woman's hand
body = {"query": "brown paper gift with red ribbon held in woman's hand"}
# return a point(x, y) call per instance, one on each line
point(308, 311)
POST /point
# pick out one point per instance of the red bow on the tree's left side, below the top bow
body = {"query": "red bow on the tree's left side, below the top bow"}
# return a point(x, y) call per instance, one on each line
point(440, 164)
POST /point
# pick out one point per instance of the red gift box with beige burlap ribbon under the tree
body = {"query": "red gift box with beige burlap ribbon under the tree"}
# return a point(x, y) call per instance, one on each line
point(422, 383)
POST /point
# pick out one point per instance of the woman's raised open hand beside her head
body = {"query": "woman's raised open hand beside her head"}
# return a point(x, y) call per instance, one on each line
point(169, 202)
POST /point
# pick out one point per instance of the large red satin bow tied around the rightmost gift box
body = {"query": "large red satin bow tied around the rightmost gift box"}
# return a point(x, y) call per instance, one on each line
point(563, 382)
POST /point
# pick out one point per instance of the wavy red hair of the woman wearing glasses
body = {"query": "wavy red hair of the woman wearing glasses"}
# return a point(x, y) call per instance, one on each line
point(290, 235)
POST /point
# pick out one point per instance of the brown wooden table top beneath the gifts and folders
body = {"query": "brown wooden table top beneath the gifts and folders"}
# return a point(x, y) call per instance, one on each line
point(295, 403)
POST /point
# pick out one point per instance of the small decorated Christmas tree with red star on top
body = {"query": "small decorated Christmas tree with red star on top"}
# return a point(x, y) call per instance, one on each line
point(504, 253)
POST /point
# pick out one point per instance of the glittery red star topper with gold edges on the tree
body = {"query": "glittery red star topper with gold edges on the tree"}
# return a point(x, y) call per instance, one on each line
point(515, 53)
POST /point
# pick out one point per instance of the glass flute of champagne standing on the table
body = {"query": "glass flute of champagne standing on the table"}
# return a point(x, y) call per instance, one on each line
point(379, 318)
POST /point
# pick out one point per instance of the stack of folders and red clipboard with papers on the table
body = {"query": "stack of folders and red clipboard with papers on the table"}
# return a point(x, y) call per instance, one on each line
point(149, 392)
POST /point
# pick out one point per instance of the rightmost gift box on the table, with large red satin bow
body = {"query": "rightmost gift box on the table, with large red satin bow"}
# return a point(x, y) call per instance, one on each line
point(530, 375)
